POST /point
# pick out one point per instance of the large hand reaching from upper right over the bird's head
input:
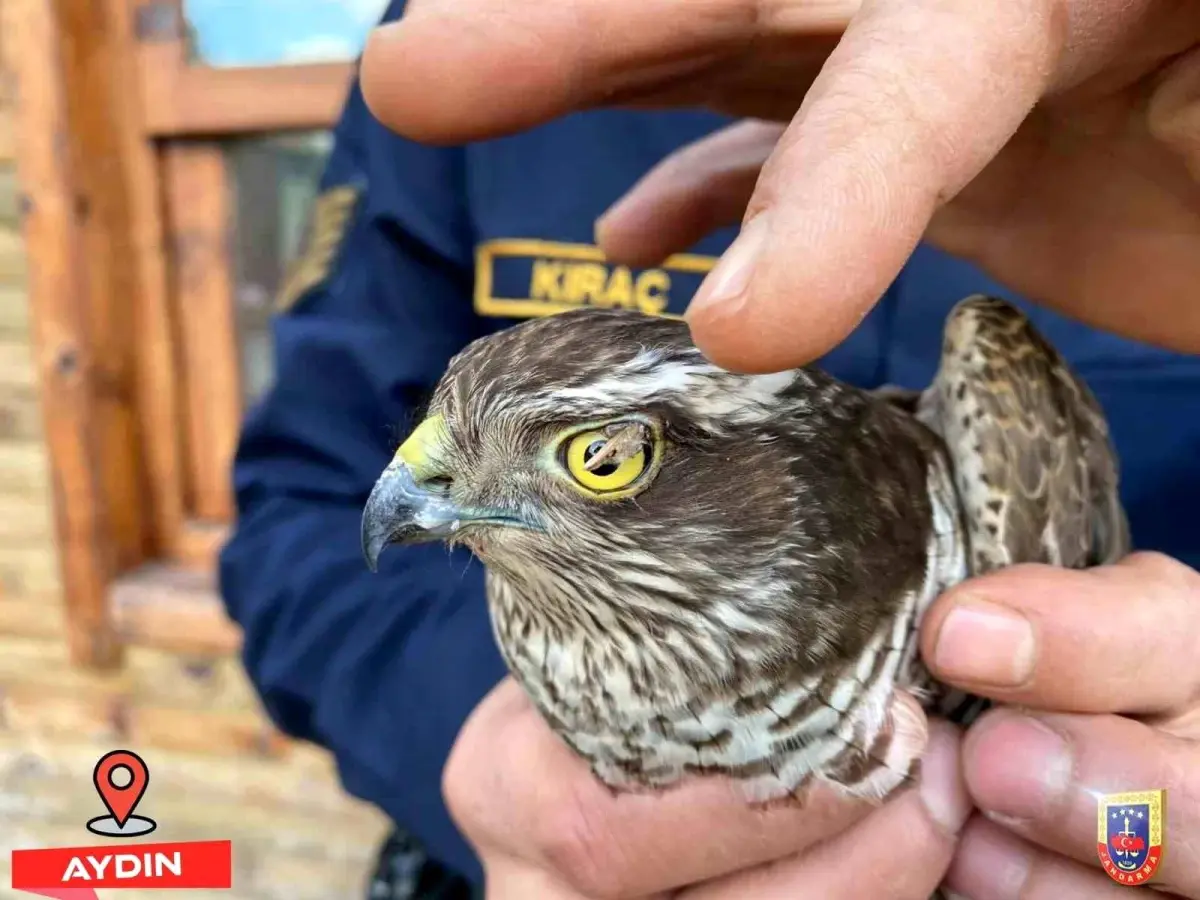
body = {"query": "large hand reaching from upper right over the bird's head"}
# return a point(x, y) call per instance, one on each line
point(1055, 143)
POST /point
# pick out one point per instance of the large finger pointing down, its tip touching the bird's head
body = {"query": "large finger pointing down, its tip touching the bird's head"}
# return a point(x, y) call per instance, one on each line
point(890, 130)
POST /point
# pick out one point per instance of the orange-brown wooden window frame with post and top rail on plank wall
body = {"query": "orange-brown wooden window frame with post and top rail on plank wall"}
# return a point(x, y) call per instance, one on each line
point(128, 221)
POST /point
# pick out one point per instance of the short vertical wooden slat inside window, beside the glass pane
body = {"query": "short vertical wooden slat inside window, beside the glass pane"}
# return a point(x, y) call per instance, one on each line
point(200, 225)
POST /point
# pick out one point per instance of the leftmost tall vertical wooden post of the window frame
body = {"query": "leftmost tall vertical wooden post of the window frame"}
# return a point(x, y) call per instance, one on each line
point(73, 379)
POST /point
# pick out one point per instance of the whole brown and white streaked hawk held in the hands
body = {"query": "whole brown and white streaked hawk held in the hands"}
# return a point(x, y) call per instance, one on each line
point(693, 571)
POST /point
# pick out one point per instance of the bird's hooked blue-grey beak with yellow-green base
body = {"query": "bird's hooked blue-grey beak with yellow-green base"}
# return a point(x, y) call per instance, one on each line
point(404, 508)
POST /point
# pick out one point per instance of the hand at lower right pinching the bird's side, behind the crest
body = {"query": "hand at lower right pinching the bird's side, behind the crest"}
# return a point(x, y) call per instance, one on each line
point(1115, 653)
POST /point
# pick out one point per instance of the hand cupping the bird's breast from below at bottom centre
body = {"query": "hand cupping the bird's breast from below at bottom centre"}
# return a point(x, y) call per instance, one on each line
point(545, 827)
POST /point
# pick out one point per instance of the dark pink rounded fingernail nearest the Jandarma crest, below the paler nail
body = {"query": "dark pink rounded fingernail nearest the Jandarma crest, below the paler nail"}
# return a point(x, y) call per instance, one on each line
point(1017, 767)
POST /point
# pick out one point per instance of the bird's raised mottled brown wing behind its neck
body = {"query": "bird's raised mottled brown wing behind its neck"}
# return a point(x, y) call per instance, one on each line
point(1035, 467)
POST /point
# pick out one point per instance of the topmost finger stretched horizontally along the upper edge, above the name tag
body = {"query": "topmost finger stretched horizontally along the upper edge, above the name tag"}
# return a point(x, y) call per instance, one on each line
point(452, 71)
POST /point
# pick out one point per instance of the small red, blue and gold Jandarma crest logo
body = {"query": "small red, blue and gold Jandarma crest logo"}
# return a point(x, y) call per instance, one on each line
point(1130, 836)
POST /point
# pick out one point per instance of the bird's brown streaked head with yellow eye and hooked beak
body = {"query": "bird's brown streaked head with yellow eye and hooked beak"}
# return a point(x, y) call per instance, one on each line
point(601, 452)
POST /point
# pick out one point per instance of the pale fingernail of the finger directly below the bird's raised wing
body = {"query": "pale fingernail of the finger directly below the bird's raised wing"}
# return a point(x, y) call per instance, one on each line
point(986, 644)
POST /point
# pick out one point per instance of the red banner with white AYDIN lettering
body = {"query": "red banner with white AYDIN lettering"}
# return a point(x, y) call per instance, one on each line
point(189, 865)
